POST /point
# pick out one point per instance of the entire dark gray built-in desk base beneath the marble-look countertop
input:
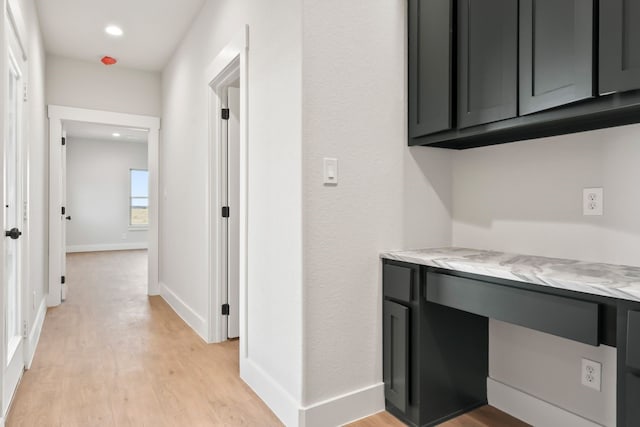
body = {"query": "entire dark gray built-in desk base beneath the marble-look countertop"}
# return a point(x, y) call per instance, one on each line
point(435, 337)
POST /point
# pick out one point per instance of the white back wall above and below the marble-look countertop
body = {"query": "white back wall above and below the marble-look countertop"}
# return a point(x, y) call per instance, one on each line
point(526, 197)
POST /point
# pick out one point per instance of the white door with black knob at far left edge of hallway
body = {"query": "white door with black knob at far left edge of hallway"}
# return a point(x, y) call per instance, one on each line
point(15, 82)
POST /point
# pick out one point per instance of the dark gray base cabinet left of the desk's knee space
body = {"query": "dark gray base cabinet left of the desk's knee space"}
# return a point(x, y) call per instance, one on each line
point(429, 375)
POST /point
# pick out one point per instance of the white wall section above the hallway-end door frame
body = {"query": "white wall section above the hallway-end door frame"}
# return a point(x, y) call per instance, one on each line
point(75, 83)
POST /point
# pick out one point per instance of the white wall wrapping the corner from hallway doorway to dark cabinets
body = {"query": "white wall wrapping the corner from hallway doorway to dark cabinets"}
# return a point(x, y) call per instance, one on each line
point(347, 101)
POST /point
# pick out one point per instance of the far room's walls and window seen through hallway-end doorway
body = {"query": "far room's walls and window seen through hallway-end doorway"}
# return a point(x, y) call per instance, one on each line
point(106, 190)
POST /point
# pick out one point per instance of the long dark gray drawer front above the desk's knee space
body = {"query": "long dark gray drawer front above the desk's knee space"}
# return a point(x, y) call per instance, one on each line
point(565, 317)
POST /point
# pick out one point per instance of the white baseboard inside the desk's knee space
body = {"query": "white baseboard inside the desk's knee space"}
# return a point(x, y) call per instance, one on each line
point(530, 409)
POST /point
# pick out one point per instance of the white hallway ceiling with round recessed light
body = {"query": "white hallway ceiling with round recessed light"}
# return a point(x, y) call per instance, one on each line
point(152, 29)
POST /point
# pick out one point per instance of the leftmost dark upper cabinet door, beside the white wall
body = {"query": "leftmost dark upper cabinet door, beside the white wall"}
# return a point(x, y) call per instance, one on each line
point(430, 34)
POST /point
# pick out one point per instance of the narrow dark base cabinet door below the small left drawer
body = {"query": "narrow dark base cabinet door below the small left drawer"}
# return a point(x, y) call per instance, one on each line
point(396, 354)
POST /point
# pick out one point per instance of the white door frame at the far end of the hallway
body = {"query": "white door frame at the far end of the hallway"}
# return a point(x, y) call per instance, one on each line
point(58, 114)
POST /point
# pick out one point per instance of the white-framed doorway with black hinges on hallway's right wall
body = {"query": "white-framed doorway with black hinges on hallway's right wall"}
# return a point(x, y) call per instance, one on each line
point(227, 193)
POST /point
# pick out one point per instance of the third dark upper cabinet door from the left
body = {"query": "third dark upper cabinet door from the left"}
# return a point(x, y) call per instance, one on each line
point(556, 53)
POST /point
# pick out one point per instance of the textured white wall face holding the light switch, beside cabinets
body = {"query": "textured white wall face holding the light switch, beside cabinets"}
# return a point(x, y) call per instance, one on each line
point(388, 197)
